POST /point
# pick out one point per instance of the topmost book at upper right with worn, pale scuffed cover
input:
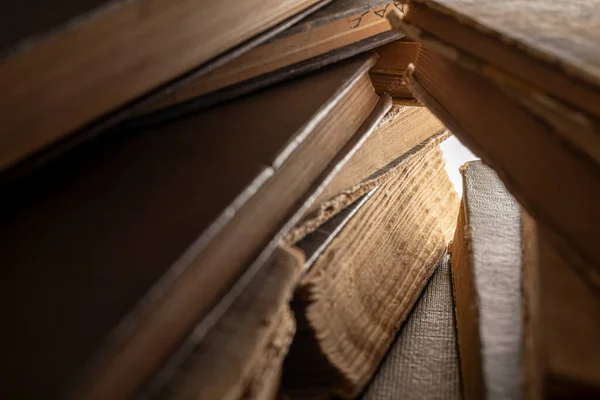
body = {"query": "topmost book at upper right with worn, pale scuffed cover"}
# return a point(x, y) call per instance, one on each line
point(544, 72)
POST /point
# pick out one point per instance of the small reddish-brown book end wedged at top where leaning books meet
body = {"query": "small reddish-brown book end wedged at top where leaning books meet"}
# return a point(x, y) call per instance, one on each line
point(394, 59)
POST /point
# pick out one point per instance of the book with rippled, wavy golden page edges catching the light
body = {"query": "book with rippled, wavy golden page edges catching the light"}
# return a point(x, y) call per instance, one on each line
point(351, 302)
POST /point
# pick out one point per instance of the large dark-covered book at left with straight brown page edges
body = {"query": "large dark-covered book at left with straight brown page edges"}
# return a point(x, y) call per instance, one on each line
point(148, 214)
